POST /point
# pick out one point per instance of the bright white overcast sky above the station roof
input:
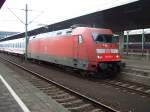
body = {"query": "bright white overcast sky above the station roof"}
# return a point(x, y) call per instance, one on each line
point(49, 11)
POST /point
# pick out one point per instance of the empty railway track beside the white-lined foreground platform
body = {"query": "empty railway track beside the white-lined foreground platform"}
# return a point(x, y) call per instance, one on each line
point(70, 99)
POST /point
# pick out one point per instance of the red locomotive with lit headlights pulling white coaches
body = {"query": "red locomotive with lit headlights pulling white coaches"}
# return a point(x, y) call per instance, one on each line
point(88, 49)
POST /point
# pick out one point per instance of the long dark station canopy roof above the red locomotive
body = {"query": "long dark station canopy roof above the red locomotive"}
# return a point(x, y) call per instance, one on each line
point(126, 17)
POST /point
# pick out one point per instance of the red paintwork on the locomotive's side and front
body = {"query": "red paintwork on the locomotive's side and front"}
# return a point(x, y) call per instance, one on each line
point(67, 46)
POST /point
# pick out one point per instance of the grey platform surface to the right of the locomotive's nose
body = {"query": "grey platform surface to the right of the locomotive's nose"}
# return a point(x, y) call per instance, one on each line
point(137, 70)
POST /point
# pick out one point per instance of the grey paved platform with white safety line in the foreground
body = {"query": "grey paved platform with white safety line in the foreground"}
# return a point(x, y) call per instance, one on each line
point(19, 95)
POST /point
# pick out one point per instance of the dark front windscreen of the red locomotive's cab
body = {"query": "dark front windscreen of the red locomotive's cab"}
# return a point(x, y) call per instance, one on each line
point(103, 38)
